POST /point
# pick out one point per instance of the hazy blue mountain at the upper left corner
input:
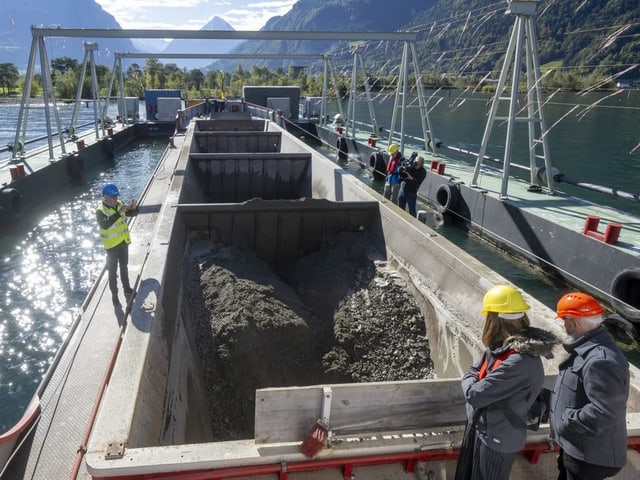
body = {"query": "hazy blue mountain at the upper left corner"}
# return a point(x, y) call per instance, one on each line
point(15, 34)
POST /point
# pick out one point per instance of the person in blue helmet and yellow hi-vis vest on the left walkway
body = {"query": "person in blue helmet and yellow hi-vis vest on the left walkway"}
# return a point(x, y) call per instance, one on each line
point(114, 232)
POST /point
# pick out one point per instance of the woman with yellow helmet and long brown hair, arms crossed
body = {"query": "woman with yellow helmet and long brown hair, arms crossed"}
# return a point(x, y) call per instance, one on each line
point(500, 388)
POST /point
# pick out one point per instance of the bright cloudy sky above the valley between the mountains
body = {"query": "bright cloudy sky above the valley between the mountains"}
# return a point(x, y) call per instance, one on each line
point(193, 14)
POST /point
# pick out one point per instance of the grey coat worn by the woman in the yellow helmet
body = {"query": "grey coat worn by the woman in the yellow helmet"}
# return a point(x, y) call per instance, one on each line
point(507, 393)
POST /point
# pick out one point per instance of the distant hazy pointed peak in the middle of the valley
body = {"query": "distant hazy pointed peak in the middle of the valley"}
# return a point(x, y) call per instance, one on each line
point(199, 46)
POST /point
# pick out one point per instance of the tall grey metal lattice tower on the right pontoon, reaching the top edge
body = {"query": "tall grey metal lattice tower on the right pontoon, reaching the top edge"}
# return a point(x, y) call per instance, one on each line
point(523, 38)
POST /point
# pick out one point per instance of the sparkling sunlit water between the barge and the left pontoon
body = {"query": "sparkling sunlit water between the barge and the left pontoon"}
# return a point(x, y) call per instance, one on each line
point(49, 263)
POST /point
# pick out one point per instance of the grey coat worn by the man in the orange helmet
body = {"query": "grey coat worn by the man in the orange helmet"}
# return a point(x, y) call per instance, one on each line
point(589, 400)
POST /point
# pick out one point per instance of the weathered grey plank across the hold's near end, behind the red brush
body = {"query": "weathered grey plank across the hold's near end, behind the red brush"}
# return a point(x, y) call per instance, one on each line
point(288, 414)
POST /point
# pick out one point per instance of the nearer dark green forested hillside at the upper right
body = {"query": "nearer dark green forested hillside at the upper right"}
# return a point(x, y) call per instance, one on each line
point(574, 35)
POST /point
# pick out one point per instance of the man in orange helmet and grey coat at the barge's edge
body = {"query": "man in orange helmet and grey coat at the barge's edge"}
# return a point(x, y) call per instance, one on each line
point(589, 399)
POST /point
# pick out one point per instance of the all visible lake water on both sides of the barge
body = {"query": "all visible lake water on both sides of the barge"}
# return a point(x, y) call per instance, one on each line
point(48, 265)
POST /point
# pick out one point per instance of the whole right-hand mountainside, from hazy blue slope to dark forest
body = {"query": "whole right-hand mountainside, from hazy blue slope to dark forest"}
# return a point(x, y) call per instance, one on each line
point(464, 36)
